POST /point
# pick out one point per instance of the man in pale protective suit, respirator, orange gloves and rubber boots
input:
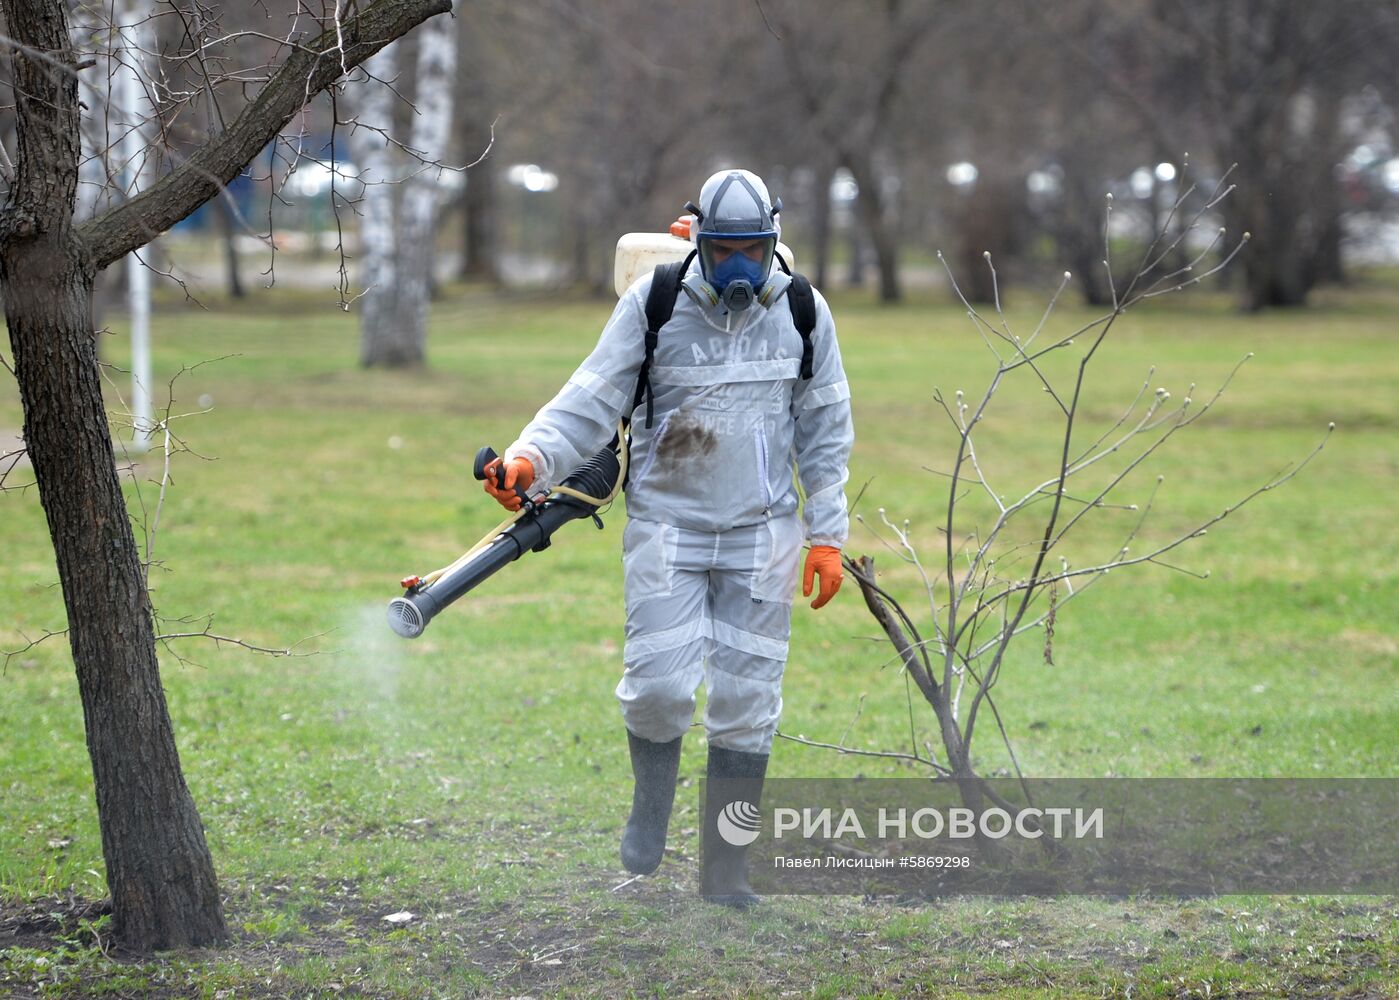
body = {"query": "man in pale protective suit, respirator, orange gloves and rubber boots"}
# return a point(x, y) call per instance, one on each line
point(713, 541)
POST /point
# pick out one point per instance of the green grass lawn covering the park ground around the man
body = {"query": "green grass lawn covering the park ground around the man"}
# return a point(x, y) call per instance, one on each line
point(478, 777)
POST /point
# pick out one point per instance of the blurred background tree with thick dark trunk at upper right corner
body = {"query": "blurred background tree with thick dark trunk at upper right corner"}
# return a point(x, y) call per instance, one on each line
point(1254, 85)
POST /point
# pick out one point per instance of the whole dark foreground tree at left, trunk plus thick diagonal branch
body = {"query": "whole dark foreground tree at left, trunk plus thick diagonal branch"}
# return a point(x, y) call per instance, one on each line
point(164, 890)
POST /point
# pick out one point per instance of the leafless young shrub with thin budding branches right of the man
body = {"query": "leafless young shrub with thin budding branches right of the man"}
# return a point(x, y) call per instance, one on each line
point(1004, 567)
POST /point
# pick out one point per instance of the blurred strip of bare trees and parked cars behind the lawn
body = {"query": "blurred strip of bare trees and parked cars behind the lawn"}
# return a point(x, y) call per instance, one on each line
point(893, 131)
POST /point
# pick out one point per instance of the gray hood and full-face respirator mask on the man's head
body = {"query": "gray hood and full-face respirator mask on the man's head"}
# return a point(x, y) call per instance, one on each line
point(735, 206)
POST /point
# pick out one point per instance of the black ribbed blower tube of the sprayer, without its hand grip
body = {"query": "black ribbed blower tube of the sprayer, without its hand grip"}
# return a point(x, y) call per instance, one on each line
point(409, 616)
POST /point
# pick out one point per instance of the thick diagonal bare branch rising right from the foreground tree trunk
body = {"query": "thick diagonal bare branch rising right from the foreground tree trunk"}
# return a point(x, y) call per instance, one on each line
point(306, 72)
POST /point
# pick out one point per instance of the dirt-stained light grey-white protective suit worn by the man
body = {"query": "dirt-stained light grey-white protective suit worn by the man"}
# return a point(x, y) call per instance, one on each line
point(713, 539)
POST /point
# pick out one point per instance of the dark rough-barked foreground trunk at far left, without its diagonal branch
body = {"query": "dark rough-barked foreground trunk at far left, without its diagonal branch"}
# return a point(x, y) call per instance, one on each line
point(160, 872)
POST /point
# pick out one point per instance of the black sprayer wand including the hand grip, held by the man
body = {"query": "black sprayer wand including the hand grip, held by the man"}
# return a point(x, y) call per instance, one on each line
point(594, 486)
